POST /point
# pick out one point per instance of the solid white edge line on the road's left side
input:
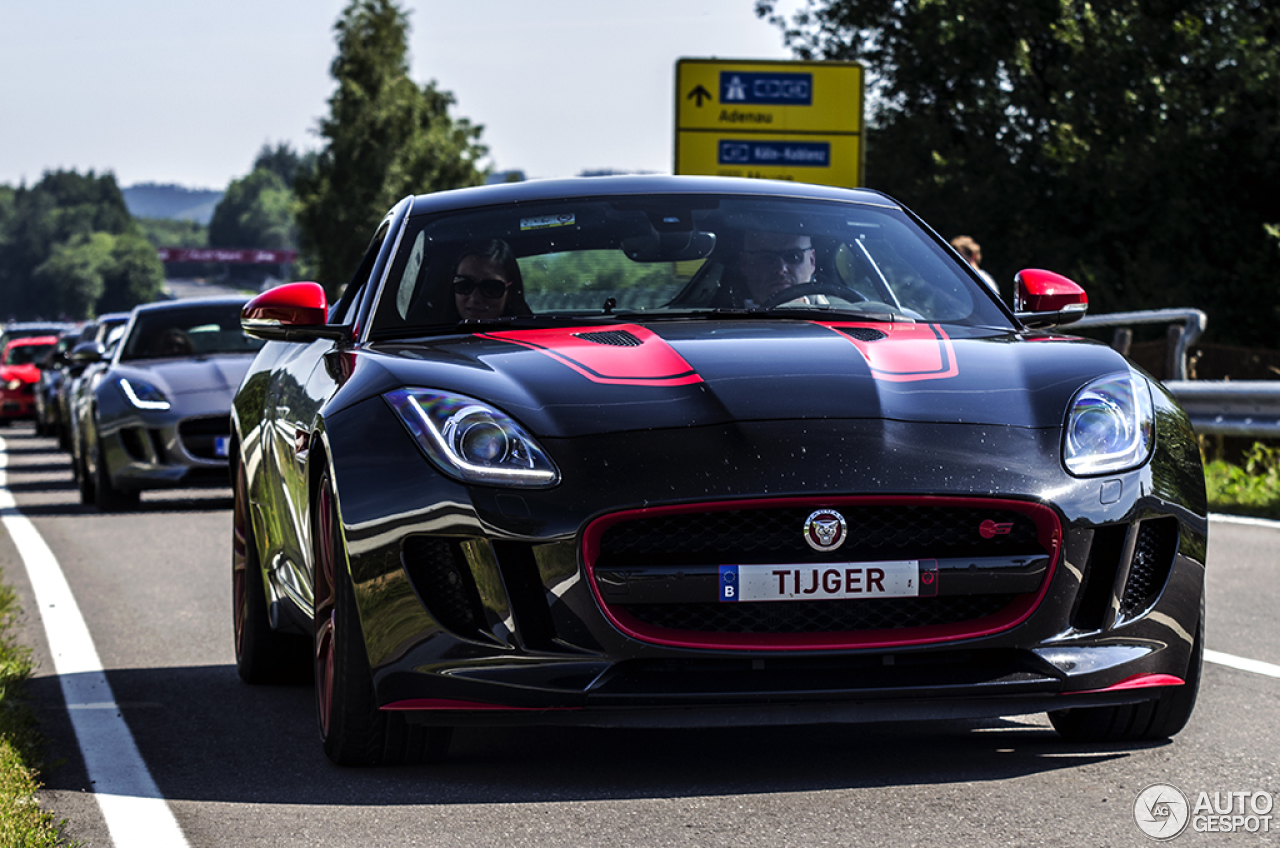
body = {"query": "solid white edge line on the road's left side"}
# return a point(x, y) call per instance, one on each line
point(136, 813)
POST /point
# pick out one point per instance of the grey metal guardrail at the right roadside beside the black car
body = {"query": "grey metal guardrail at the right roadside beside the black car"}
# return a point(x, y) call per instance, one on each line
point(1217, 408)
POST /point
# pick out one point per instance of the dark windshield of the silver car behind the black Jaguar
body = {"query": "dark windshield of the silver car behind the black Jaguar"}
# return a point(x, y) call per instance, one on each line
point(193, 331)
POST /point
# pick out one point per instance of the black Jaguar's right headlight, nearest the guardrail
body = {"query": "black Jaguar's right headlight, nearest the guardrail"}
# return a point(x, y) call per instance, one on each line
point(1110, 427)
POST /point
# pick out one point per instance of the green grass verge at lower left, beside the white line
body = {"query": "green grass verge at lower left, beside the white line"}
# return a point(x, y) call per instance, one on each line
point(22, 823)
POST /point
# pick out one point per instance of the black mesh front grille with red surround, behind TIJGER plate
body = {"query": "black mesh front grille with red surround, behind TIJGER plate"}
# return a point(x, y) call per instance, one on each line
point(877, 531)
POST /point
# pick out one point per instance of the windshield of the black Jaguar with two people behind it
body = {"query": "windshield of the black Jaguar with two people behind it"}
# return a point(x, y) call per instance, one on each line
point(670, 257)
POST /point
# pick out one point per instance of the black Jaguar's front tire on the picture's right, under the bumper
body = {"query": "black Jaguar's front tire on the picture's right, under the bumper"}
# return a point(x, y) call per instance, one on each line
point(1158, 719)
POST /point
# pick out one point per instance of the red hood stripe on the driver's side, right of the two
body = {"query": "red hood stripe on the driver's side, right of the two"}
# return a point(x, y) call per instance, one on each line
point(902, 353)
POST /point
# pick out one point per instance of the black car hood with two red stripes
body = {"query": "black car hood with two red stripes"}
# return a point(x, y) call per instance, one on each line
point(624, 377)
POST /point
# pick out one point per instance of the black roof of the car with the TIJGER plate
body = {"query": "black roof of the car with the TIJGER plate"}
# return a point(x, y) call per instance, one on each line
point(545, 190)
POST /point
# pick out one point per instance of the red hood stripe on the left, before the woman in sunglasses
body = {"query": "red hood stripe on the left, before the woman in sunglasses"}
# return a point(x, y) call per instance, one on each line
point(620, 354)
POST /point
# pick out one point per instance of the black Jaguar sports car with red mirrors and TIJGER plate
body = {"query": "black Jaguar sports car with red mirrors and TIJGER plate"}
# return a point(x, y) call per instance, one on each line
point(650, 495)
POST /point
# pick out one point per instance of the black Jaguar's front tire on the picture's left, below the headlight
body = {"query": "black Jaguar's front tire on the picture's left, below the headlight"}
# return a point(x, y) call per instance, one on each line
point(353, 730)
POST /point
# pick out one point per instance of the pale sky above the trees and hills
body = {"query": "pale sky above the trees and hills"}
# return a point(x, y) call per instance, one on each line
point(175, 92)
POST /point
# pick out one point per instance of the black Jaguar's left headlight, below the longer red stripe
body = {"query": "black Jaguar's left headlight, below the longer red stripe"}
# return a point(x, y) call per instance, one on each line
point(472, 441)
